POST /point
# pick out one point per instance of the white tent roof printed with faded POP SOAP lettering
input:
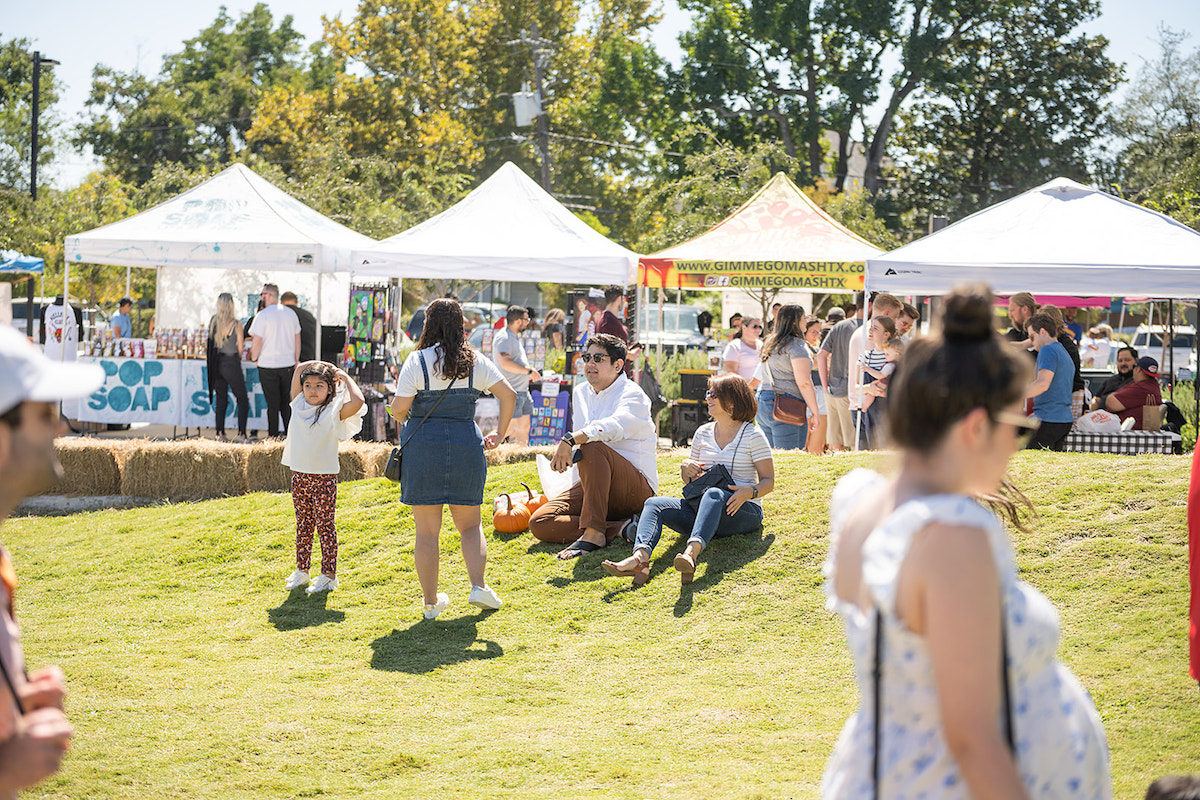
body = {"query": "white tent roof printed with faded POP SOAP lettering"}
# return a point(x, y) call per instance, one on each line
point(236, 220)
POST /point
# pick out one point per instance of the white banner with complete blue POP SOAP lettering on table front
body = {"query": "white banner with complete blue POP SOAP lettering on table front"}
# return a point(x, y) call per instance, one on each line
point(135, 390)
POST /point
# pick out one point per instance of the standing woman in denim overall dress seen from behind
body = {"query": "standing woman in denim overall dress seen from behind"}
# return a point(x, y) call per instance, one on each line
point(443, 464)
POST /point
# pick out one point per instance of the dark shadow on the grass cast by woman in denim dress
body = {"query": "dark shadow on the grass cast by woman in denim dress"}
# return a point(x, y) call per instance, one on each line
point(431, 645)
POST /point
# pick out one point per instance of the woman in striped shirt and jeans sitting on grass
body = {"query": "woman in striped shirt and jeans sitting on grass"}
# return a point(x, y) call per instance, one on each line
point(731, 442)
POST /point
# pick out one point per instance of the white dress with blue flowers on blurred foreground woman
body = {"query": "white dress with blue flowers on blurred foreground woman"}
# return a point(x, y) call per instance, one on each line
point(1061, 749)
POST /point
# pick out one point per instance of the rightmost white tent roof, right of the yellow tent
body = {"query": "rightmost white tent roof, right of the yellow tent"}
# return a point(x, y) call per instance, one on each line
point(1061, 238)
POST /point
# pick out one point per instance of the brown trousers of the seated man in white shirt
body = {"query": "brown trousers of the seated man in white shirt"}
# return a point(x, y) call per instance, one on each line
point(610, 492)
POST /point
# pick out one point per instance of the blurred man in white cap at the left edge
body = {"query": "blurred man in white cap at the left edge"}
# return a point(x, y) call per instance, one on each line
point(34, 731)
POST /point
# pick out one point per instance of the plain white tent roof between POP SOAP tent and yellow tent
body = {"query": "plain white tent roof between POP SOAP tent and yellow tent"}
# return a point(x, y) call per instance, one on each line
point(508, 230)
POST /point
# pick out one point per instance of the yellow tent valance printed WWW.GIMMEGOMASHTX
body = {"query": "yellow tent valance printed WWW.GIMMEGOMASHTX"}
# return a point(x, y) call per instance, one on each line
point(839, 278)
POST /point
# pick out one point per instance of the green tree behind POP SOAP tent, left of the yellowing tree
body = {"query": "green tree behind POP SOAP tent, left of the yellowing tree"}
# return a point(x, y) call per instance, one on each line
point(201, 107)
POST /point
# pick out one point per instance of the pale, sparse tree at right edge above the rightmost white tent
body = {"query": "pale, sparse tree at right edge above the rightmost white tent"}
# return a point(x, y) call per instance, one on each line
point(1157, 128)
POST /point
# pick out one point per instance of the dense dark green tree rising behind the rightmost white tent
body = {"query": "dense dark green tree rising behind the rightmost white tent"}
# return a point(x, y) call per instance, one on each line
point(1019, 103)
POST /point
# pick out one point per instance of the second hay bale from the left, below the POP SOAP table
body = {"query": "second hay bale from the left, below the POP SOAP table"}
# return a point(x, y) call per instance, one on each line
point(196, 470)
